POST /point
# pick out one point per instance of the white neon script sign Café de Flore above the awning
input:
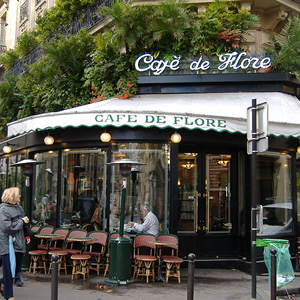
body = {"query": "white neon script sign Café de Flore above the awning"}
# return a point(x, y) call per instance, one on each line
point(235, 60)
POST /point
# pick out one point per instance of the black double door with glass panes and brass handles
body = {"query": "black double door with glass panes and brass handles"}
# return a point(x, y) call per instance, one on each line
point(204, 199)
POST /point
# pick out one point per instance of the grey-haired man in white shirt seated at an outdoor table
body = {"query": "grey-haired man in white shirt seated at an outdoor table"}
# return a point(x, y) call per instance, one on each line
point(150, 224)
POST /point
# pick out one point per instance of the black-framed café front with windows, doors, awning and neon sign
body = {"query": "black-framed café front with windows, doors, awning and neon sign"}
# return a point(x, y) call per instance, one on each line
point(188, 125)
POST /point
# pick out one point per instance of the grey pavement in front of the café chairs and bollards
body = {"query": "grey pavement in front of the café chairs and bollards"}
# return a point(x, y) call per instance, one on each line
point(210, 284)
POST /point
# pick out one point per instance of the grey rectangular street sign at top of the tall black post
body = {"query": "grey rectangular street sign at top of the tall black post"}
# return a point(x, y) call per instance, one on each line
point(261, 134)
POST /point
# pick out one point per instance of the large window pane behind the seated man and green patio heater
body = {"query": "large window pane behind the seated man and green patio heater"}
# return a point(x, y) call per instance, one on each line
point(146, 183)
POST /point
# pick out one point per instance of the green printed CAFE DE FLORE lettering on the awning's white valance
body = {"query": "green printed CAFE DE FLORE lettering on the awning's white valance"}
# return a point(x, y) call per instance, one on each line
point(115, 119)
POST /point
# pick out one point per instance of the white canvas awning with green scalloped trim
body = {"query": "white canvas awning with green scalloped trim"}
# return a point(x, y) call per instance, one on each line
point(207, 111)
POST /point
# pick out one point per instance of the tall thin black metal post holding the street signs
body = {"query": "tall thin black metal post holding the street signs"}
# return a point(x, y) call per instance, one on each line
point(253, 198)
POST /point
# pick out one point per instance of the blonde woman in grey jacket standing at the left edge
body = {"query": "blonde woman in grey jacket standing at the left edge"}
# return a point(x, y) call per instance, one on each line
point(12, 220)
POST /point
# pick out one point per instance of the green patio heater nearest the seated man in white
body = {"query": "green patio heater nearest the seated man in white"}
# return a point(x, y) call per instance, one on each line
point(120, 247)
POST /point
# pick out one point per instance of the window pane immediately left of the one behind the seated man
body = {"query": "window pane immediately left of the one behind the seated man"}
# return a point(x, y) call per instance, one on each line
point(83, 186)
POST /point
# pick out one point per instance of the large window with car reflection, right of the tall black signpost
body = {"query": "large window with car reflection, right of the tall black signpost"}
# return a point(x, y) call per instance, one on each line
point(274, 190)
